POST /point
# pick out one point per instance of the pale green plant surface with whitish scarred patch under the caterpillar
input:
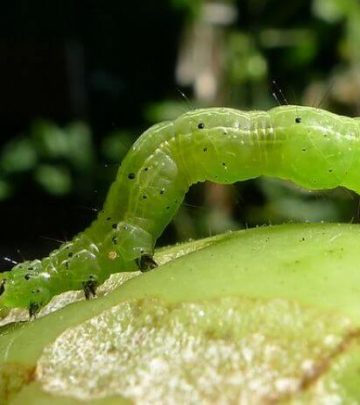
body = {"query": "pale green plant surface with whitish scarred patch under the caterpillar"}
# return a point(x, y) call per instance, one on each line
point(266, 314)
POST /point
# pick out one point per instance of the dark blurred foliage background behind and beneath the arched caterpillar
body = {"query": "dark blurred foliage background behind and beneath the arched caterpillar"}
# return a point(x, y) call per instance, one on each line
point(80, 81)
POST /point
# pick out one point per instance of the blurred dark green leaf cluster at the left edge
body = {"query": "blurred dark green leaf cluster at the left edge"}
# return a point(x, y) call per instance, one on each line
point(52, 156)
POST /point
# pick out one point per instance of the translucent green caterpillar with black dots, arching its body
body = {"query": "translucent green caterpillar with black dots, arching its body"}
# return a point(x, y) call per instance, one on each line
point(313, 148)
